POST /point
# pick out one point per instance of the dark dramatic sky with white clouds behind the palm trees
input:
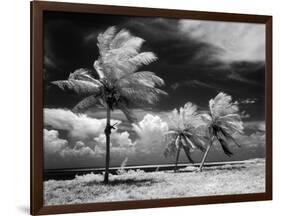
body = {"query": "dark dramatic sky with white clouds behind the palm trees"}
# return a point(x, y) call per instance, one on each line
point(196, 59)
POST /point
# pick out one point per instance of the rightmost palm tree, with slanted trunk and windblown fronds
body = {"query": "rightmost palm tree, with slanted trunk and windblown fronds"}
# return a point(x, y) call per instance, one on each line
point(222, 122)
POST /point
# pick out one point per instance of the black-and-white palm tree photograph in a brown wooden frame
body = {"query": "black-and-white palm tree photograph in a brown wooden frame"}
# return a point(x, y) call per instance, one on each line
point(141, 108)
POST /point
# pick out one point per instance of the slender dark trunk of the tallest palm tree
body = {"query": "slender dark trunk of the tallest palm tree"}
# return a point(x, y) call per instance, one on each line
point(107, 132)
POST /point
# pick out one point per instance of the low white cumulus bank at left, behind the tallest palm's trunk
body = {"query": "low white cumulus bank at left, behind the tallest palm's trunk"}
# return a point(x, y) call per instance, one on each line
point(85, 132)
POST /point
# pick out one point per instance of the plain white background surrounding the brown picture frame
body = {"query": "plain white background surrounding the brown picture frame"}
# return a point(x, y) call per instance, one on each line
point(14, 107)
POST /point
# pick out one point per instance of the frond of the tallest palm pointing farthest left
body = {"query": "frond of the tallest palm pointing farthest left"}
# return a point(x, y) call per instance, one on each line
point(80, 87)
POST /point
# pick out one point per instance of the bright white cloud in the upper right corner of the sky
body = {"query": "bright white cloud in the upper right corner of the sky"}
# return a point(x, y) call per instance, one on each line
point(237, 41)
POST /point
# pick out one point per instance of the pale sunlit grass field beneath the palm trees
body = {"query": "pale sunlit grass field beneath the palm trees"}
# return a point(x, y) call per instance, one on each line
point(138, 185)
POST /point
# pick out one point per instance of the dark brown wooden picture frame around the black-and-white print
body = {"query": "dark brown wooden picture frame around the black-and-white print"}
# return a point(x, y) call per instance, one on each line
point(36, 193)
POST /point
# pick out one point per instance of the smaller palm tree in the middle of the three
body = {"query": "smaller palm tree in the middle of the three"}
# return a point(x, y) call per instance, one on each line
point(183, 132)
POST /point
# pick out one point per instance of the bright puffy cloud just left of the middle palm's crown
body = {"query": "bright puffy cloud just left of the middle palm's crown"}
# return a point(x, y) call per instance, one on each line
point(150, 131)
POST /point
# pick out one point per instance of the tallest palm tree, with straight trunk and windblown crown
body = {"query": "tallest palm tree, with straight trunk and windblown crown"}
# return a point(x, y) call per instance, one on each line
point(118, 86)
